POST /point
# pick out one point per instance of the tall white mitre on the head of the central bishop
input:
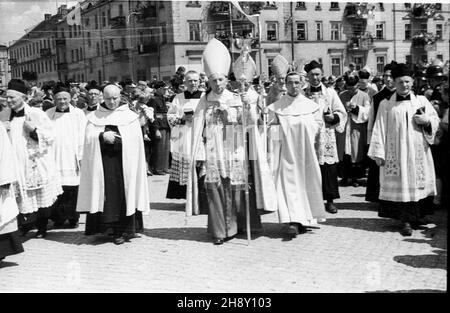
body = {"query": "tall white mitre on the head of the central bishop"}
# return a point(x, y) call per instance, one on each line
point(216, 58)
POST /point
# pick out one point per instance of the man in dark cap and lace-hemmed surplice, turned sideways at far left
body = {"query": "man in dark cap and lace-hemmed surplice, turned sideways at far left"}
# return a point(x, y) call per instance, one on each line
point(32, 139)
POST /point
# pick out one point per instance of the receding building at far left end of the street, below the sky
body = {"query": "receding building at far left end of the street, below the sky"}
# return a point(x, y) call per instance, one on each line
point(33, 56)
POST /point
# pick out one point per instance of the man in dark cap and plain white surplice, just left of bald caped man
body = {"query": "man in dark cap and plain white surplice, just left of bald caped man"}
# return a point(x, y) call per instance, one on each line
point(69, 124)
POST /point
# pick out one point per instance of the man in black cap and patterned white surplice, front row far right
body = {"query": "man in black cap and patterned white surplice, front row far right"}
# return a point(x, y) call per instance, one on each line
point(403, 131)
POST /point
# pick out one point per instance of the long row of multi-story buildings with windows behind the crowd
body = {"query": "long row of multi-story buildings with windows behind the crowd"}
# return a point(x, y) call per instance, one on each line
point(119, 39)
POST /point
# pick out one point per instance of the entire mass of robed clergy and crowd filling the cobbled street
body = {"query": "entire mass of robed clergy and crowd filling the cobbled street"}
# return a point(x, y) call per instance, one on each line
point(235, 144)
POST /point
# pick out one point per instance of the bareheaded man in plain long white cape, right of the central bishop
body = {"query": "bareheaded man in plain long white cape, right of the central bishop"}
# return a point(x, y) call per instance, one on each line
point(298, 179)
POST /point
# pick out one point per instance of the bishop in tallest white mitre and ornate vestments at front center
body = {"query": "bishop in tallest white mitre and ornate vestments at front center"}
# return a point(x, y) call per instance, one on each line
point(219, 150)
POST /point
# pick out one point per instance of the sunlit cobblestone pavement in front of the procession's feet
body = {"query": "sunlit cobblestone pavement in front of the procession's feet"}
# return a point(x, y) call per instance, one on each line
point(353, 251)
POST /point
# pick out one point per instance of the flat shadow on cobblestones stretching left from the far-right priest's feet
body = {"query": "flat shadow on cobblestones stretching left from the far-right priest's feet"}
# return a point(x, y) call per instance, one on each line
point(368, 224)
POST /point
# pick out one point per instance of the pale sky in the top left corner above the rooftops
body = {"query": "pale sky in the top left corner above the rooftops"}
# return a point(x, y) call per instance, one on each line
point(18, 15)
